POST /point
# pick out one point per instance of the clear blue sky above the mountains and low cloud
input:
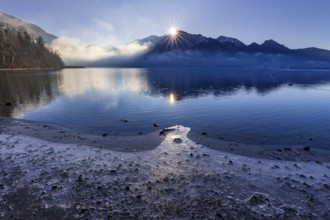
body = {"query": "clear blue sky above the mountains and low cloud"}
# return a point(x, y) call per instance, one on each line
point(295, 23)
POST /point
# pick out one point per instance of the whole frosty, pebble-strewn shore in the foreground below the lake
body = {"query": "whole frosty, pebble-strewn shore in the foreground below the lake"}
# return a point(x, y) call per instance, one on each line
point(54, 173)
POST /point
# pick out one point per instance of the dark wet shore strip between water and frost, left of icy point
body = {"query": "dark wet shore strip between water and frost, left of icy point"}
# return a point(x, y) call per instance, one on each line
point(57, 134)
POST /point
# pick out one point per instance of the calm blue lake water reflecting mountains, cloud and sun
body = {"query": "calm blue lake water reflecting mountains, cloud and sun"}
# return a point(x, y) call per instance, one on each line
point(251, 106)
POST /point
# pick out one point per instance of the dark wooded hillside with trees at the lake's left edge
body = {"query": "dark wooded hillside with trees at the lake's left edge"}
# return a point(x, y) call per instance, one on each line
point(20, 50)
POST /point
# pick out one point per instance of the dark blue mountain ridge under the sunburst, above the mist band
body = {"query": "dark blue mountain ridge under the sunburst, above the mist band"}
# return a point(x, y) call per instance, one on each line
point(228, 46)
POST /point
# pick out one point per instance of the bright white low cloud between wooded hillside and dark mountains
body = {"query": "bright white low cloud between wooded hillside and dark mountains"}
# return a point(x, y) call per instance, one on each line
point(73, 52)
